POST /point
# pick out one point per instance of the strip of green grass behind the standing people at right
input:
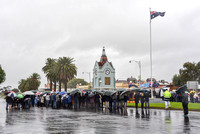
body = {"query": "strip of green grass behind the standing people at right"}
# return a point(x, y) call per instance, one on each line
point(174, 105)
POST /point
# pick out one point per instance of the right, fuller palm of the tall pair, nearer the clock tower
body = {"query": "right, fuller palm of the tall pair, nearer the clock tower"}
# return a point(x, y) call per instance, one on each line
point(67, 70)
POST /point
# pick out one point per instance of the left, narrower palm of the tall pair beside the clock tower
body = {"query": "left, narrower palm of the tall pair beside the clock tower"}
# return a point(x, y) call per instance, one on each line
point(49, 70)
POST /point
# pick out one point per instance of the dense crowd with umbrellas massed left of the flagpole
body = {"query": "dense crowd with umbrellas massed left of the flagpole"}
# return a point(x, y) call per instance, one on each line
point(80, 99)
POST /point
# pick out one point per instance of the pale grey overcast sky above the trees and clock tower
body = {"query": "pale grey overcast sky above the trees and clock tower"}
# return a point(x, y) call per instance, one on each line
point(33, 30)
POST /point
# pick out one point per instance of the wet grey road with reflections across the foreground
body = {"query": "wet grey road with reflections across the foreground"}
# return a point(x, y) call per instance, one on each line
point(41, 121)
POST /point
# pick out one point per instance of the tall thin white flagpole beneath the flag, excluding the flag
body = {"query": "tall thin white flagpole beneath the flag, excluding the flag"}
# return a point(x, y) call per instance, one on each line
point(151, 55)
